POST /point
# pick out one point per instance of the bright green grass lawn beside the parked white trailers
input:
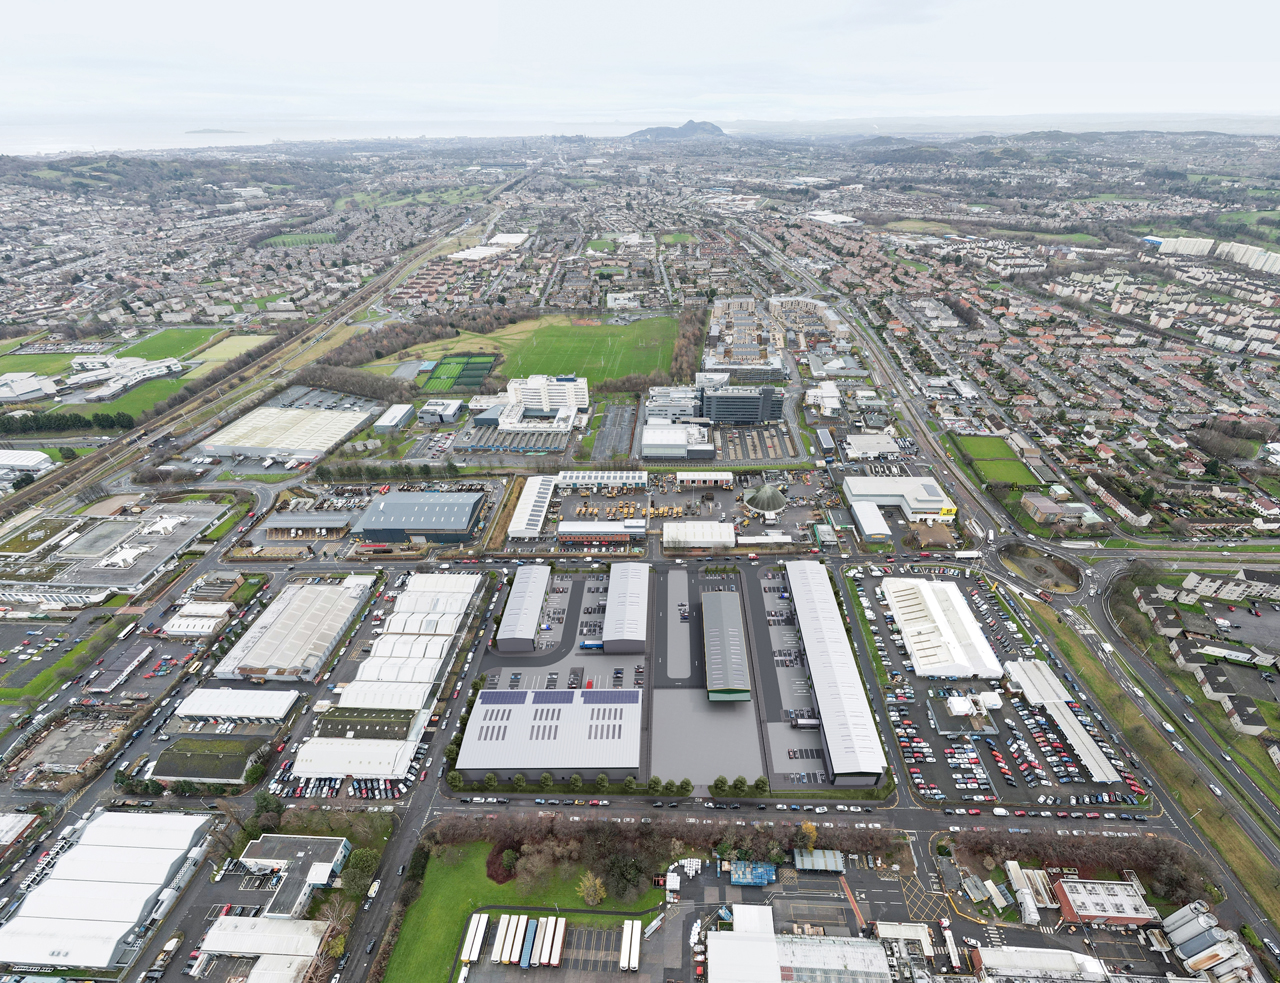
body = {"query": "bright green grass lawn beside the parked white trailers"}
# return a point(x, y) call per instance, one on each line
point(436, 923)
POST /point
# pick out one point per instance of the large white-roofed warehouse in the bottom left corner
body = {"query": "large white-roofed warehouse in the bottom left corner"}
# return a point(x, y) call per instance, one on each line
point(122, 871)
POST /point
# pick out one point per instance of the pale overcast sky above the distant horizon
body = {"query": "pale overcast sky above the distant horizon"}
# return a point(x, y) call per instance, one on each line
point(141, 71)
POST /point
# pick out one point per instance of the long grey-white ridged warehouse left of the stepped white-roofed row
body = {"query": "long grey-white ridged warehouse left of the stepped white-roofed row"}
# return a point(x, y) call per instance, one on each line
point(294, 638)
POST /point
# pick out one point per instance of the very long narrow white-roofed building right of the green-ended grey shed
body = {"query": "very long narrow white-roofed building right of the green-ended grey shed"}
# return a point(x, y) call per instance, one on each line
point(856, 756)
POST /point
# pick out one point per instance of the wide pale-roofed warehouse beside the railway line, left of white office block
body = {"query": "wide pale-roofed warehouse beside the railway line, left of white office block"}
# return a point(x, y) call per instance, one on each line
point(285, 433)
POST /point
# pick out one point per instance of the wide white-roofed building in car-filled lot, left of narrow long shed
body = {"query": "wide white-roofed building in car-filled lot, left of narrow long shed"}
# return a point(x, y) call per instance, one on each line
point(939, 630)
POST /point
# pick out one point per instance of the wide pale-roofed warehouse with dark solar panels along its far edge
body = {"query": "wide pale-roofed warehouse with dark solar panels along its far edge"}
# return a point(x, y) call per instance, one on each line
point(557, 731)
